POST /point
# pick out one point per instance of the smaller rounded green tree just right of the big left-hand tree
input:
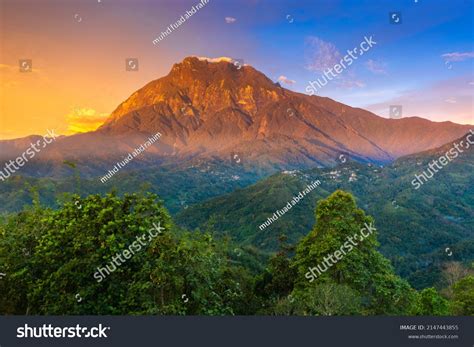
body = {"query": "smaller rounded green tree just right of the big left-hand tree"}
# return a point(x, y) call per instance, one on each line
point(187, 275)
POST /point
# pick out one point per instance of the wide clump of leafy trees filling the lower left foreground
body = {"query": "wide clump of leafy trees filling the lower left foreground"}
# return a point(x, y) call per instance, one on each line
point(53, 259)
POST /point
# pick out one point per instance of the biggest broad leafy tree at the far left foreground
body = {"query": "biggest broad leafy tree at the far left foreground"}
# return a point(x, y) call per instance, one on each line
point(69, 245)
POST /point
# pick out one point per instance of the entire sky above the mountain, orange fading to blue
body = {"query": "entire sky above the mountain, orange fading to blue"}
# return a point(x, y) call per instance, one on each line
point(74, 53)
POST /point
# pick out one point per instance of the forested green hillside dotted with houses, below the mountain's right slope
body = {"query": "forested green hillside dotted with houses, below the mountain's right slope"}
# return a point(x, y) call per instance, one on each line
point(418, 228)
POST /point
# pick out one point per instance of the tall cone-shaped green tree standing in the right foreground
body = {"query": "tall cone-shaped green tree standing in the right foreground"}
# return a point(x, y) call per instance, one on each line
point(359, 265)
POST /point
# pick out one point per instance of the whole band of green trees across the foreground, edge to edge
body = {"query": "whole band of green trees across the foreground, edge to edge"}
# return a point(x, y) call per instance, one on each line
point(51, 259)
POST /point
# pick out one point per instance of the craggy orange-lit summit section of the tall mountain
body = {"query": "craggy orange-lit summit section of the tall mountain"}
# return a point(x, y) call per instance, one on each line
point(213, 83)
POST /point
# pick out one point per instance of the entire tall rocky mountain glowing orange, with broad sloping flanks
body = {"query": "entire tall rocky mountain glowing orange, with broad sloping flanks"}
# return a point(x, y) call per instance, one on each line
point(215, 109)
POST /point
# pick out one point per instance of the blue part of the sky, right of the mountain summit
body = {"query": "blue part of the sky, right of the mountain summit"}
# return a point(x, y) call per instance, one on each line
point(405, 67)
